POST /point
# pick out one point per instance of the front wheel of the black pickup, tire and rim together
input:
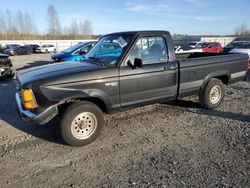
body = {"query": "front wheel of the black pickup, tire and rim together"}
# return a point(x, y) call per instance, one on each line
point(74, 131)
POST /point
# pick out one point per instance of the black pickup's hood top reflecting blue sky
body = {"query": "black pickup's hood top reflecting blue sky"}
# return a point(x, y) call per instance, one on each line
point(55, 70)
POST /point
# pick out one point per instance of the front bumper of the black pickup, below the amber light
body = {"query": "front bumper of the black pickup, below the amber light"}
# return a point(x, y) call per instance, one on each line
point(42, 118)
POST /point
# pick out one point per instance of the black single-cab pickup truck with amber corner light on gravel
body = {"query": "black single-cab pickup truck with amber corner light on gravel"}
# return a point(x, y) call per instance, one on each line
point(122, 71)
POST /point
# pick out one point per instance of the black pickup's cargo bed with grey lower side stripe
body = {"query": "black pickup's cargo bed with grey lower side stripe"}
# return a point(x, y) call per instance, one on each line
point(198, 66)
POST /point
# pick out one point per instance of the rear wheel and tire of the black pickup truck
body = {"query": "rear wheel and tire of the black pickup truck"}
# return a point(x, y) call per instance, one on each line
point(212, 94)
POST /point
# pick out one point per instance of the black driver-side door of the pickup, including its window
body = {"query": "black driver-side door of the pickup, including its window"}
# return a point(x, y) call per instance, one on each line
point(155, 80)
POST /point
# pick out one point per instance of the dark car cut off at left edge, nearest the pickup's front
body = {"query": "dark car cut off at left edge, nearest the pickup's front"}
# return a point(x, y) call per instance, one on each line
point(6, 67)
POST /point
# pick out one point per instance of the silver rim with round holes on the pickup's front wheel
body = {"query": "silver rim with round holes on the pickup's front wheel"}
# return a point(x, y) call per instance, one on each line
point(83, 125)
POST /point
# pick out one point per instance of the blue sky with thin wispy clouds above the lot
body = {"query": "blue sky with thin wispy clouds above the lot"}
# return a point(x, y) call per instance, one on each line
point(218, 17)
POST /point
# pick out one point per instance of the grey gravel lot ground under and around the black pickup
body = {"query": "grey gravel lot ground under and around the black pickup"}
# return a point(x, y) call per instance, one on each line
point(161, 145)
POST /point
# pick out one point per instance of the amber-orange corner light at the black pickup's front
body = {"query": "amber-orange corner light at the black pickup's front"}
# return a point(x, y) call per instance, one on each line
point(29, 100)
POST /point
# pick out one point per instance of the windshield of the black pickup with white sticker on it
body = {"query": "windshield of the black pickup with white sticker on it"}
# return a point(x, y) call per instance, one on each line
point(108, 49)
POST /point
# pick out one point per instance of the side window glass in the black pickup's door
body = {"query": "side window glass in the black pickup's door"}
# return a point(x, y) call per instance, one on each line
point(150, 49)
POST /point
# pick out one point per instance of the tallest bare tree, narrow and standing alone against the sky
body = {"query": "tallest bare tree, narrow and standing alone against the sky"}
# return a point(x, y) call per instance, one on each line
point(54, 27)
